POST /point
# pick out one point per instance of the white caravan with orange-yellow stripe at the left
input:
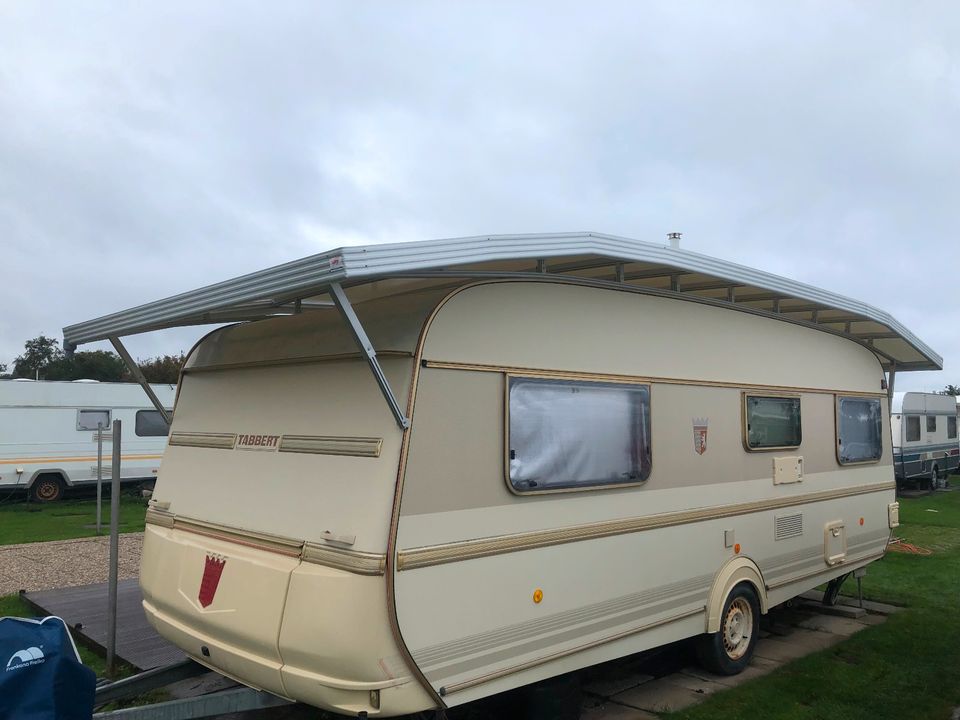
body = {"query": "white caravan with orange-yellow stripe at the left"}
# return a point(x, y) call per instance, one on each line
point(48, 433)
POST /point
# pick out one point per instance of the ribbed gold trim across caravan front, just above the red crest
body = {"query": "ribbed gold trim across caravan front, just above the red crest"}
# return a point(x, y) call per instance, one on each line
point(360, 563)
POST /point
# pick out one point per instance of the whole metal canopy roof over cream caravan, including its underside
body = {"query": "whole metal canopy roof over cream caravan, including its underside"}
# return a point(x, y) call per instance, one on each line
point(377, 270)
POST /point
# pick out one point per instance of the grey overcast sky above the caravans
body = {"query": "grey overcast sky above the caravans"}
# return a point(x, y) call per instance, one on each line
point(149, 150)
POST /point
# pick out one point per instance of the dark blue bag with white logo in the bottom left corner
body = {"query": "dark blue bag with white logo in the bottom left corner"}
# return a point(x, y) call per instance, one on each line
point(41, 675)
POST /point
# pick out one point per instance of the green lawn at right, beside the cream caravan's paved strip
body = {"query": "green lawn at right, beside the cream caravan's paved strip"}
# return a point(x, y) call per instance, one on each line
point(907, 668)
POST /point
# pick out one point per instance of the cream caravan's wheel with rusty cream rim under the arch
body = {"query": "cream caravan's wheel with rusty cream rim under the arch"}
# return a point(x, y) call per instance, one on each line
point(729, 651)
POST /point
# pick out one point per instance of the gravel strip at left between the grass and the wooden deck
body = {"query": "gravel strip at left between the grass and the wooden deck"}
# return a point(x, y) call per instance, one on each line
point(65, 563)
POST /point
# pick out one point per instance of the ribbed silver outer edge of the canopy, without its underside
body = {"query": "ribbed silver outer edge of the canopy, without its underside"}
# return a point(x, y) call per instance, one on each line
point(266, 292)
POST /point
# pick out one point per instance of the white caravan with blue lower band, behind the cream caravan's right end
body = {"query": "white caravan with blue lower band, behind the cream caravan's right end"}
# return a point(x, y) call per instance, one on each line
point(925, 444)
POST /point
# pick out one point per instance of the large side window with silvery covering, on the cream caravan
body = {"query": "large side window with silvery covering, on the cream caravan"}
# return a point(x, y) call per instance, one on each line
point(575, 434)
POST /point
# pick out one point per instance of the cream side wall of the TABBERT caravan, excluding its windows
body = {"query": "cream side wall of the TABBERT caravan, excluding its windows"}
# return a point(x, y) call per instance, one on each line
point(496, 588)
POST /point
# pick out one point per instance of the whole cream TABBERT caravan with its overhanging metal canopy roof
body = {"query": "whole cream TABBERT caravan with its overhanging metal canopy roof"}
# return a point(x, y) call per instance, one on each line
point(425, 473)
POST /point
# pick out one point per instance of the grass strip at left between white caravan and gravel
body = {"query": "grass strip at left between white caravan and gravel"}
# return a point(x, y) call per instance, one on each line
point(23, 522)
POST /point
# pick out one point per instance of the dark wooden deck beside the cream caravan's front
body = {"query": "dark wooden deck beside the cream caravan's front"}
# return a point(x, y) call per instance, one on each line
point(84, 609)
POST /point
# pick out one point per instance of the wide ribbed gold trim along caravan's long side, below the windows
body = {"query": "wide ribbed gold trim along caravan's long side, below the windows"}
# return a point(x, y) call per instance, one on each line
point(484, 547)
